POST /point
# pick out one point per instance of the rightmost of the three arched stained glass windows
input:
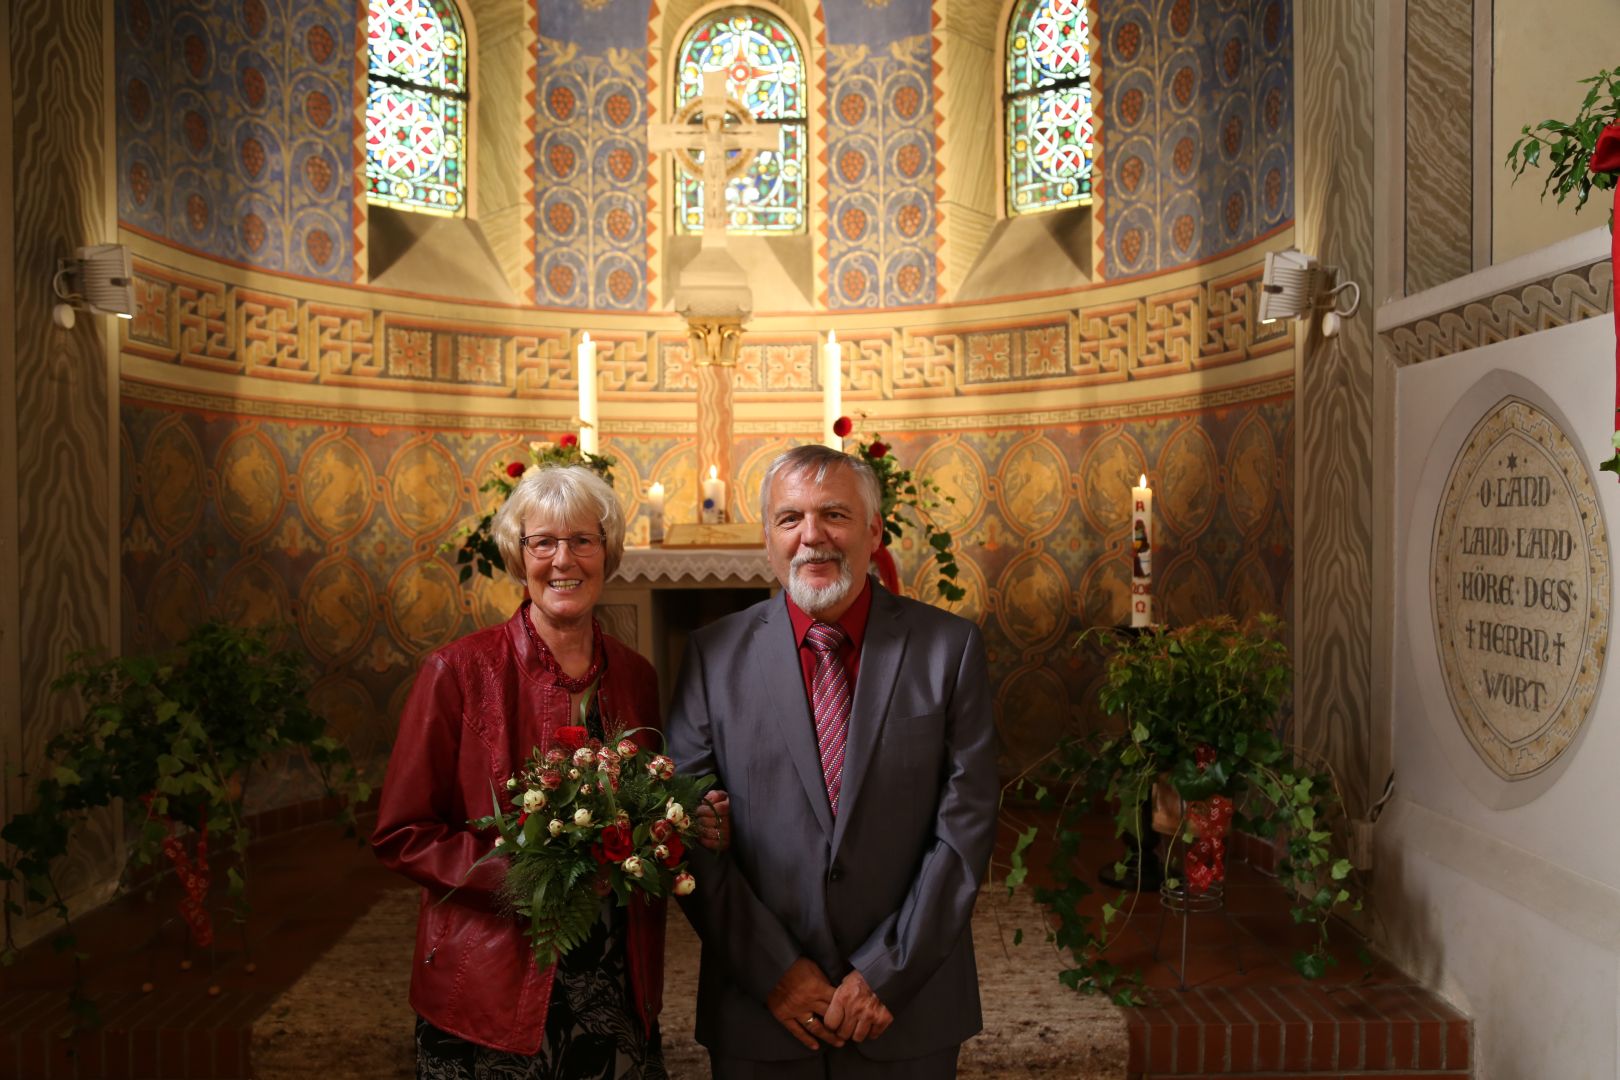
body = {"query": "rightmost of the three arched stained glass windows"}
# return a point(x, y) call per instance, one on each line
point(1049, 106)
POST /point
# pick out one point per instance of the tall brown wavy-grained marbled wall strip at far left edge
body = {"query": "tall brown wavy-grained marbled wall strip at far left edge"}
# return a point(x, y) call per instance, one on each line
point(62, 472)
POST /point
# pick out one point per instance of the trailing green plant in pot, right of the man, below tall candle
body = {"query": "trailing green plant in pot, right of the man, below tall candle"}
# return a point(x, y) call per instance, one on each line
point(1200, 710)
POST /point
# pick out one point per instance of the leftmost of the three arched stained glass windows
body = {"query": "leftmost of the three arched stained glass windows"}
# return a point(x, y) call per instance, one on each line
point(417, 106)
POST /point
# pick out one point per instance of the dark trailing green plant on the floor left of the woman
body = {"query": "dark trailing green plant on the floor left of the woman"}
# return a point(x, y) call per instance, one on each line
point(174, 742)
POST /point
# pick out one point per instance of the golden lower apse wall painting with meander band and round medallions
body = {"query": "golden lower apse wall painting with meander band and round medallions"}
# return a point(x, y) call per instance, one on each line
point(330, 521)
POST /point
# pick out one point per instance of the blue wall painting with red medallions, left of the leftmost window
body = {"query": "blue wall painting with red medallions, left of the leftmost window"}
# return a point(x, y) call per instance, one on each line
point(237, 129)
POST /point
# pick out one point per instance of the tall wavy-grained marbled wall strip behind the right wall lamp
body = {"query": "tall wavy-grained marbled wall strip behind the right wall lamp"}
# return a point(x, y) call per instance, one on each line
point(1334, 697)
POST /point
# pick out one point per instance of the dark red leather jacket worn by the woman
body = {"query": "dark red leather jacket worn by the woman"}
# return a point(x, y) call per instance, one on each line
point(479, 707)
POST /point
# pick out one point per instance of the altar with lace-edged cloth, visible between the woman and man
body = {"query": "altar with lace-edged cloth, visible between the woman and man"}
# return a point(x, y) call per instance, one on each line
point(660, 595)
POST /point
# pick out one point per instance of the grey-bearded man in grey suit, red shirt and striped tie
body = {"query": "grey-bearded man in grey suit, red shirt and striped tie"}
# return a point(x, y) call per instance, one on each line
point(853, 731)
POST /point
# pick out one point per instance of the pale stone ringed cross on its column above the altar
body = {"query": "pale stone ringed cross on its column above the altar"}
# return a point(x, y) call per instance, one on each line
point(712, 291)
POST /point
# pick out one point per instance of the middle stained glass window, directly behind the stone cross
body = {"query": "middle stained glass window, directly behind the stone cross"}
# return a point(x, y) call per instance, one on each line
point(765, 72)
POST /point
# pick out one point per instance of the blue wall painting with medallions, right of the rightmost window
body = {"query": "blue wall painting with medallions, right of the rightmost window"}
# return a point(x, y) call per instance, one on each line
point(1198, 142)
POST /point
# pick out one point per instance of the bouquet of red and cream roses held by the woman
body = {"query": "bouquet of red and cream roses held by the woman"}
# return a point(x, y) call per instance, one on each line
point(586, 819)
